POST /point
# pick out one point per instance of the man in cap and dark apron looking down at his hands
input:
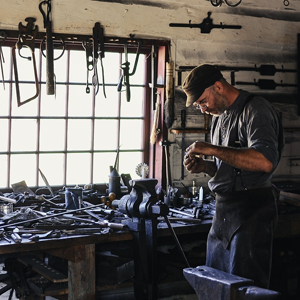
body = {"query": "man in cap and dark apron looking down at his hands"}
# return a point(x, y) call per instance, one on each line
point(246, 146)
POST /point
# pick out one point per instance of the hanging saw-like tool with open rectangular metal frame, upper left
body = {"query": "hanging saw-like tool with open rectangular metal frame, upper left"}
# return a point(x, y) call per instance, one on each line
point(27, 35)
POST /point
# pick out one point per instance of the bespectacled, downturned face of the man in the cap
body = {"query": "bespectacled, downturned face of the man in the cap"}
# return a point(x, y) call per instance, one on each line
point(211, 103)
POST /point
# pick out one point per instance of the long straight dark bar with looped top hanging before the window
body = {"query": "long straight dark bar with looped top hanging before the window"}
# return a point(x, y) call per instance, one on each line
point(50, 85)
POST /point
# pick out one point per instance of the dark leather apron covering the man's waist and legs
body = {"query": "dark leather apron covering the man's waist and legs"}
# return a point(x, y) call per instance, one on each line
point(240, 239)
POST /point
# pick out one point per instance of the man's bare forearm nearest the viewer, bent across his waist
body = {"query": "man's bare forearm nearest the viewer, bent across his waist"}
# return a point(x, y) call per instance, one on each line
point(244, 159)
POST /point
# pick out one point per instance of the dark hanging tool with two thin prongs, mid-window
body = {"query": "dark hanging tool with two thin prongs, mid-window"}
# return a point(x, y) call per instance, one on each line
point(98, 53)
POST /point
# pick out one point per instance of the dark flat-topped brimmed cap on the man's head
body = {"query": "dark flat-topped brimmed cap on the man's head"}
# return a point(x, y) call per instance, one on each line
point(198, 80)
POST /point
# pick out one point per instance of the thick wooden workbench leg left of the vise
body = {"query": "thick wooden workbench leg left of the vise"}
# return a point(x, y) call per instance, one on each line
point(82, 278)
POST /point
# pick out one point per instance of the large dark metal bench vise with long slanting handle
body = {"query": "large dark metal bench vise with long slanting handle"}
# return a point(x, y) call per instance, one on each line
point(143, 208)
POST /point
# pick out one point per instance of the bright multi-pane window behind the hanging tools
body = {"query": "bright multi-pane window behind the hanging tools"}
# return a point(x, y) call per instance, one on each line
point(72, 137)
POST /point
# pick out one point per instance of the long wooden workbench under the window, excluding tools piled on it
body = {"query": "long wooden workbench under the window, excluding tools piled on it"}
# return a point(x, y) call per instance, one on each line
point(79, 251)
